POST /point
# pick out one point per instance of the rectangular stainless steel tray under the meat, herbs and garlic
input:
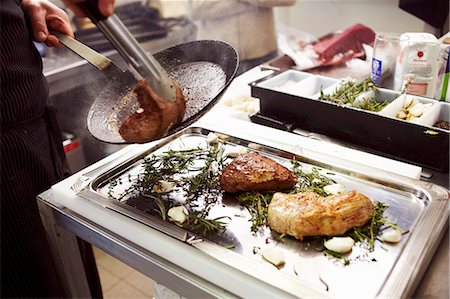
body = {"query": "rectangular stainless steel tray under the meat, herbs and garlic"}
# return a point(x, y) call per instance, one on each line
point(389, 271)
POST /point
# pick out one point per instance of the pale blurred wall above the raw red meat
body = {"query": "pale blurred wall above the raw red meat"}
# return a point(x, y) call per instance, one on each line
point(322, 16)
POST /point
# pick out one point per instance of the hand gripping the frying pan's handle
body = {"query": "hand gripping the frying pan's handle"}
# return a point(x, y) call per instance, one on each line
point(44, 15)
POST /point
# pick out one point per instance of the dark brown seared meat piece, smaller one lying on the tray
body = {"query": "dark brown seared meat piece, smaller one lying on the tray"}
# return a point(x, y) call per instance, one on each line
point(254, 172)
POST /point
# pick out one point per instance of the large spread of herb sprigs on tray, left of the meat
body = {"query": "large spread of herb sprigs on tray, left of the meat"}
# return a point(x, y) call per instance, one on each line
point(197, 174)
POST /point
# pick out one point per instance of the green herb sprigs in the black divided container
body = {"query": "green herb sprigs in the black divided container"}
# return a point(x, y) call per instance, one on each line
point(348, 91)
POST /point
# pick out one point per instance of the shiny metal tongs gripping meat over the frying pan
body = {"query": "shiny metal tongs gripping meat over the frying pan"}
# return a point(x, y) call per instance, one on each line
point(141, 63)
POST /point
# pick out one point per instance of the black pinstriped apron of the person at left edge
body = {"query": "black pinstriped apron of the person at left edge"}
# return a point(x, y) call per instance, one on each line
point(32, 159)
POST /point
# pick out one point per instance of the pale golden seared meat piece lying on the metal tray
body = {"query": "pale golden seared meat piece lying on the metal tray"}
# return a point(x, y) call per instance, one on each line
point(309, 214)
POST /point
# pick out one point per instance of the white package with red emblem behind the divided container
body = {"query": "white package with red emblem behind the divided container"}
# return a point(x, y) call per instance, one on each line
point(418, 64)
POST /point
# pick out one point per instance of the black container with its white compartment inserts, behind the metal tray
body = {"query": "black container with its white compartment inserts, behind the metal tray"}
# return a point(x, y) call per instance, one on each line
point(289, 100)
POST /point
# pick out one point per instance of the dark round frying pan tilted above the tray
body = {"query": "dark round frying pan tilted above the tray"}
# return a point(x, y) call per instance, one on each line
point(203, 69)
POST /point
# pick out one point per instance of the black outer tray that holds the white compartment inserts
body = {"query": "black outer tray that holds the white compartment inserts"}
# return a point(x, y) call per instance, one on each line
point(372, 132)
